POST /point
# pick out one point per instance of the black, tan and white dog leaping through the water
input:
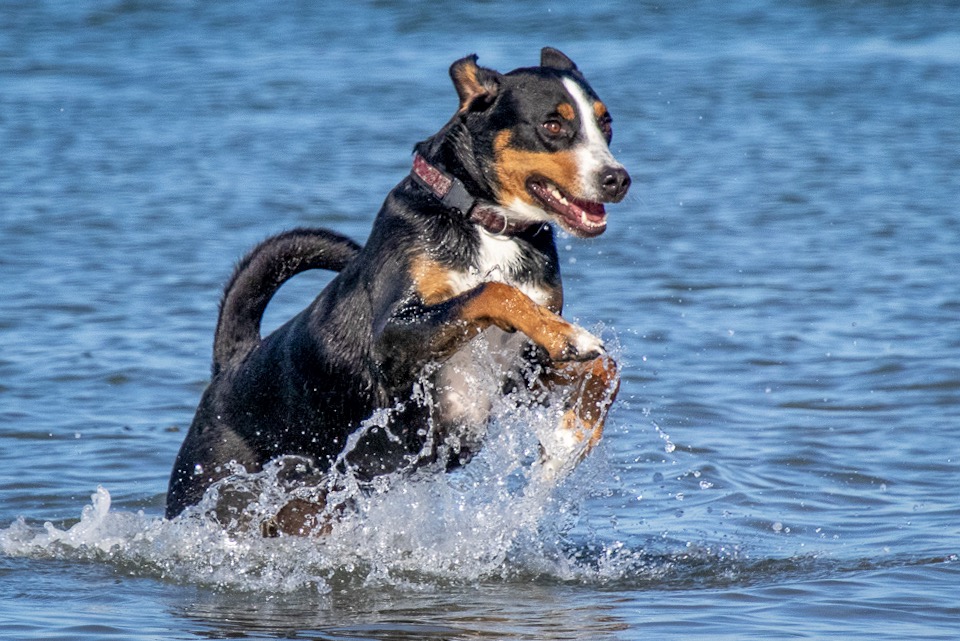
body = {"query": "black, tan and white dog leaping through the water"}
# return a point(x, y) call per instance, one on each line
point(462, 246)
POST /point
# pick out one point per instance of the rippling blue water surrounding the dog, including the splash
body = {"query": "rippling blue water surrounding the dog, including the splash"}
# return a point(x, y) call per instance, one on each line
point(781, 287)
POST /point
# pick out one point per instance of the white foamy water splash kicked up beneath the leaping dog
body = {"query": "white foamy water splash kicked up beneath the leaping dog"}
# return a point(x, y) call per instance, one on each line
point(498, 517)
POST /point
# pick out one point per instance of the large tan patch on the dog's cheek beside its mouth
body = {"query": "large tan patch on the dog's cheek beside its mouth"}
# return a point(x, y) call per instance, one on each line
point(515, 166)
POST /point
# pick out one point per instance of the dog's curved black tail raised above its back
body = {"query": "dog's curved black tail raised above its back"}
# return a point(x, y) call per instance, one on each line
point(260, 274)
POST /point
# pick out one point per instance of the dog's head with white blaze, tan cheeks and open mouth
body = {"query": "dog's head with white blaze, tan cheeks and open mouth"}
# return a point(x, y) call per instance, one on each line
point(538, 141)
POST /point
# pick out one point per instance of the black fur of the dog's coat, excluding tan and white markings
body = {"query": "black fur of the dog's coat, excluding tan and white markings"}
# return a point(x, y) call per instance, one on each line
point(366, 340)
